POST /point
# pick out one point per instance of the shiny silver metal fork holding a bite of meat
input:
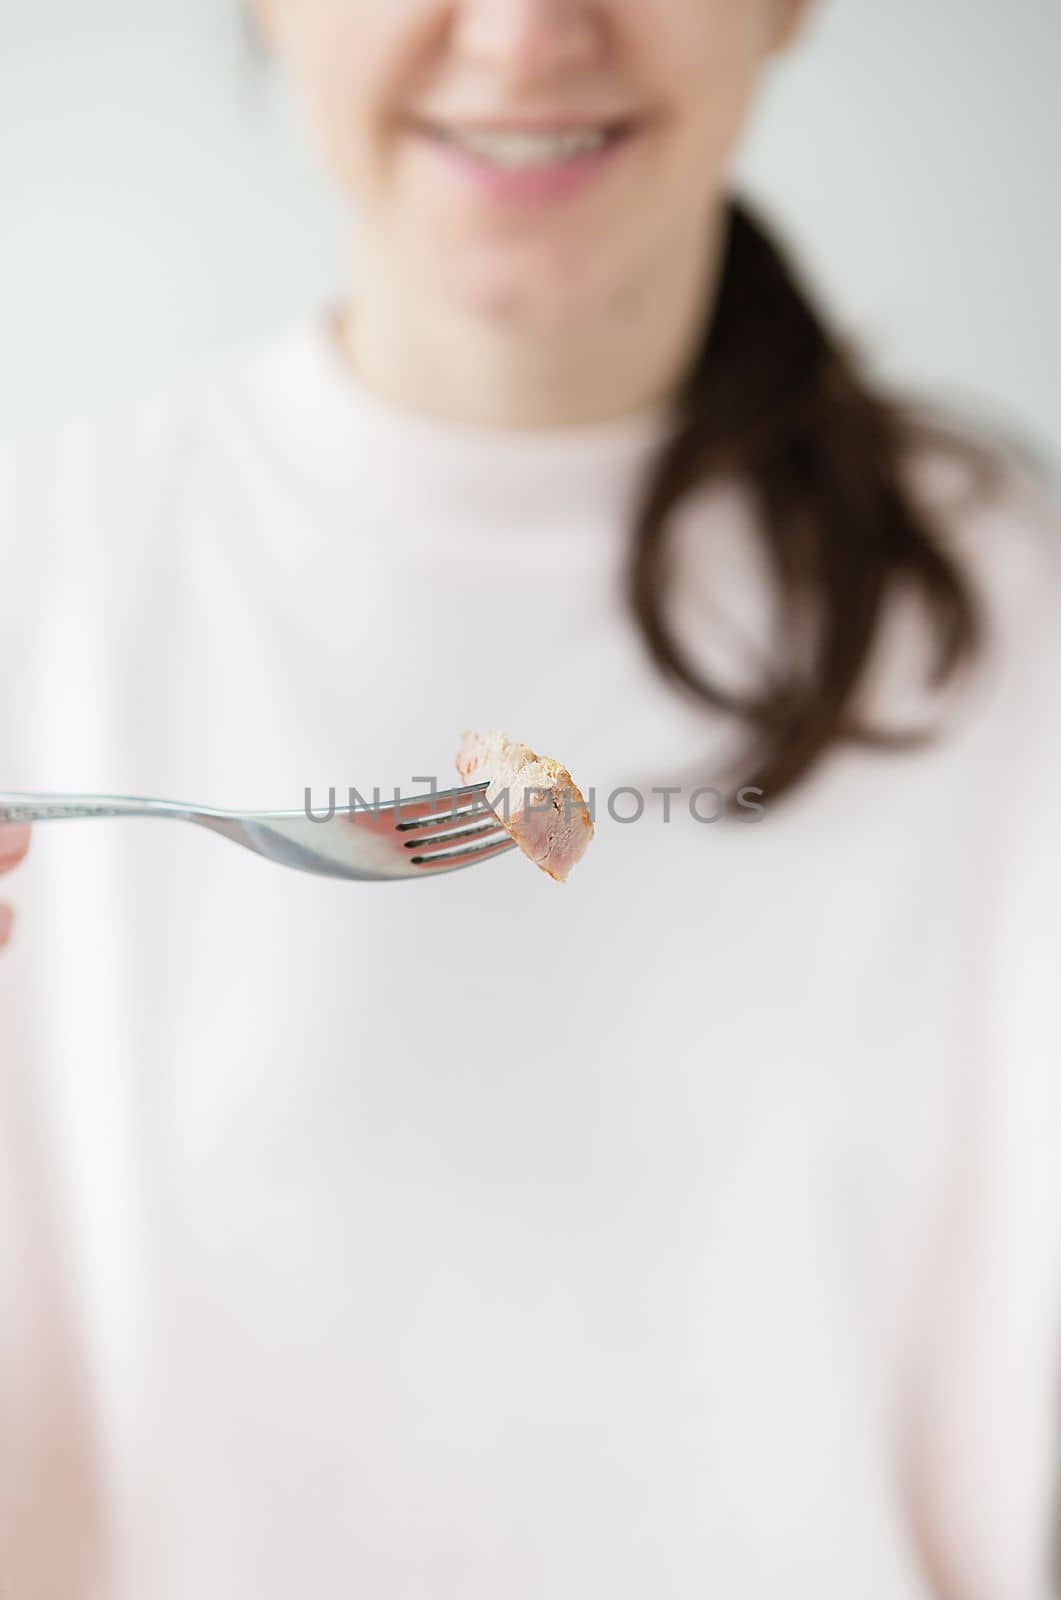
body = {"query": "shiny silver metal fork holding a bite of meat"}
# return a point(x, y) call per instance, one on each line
point(372, 844)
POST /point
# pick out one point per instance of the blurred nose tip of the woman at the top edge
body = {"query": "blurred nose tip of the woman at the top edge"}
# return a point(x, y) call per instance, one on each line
point(530, 39)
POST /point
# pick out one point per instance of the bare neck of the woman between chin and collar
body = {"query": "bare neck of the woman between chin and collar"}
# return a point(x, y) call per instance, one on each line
point(463, 366)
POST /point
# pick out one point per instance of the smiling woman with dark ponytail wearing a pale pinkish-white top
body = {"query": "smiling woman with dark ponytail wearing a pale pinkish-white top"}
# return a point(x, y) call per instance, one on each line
point(692, 1230)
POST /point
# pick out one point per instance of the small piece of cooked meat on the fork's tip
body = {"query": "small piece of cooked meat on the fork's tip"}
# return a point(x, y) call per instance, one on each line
point(535, 799)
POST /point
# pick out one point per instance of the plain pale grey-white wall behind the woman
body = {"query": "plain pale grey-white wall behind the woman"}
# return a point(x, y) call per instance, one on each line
point(159, 202)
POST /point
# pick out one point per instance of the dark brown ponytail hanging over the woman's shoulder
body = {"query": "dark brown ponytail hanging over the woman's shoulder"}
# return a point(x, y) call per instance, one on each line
point(774, 401)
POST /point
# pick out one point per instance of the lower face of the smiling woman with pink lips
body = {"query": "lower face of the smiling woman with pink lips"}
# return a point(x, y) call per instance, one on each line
point(527, 158)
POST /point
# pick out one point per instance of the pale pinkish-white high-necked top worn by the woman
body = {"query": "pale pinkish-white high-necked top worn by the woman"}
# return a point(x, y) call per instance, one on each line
point(689, 1230)
